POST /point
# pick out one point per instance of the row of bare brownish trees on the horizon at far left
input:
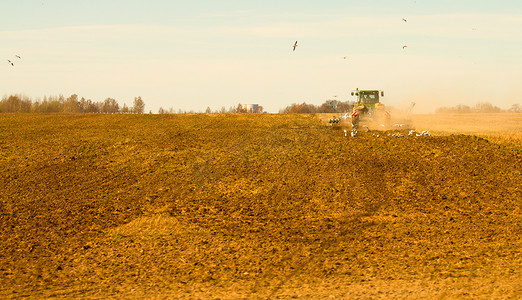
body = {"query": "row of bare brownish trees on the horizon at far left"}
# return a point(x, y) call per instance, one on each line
point(60, 104)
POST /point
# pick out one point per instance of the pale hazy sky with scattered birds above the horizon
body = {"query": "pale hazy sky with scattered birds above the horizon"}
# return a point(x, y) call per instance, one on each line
point(190, 55)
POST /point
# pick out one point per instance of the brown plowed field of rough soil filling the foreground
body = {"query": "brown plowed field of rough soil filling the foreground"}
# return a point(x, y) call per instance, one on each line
point(254, 207)
